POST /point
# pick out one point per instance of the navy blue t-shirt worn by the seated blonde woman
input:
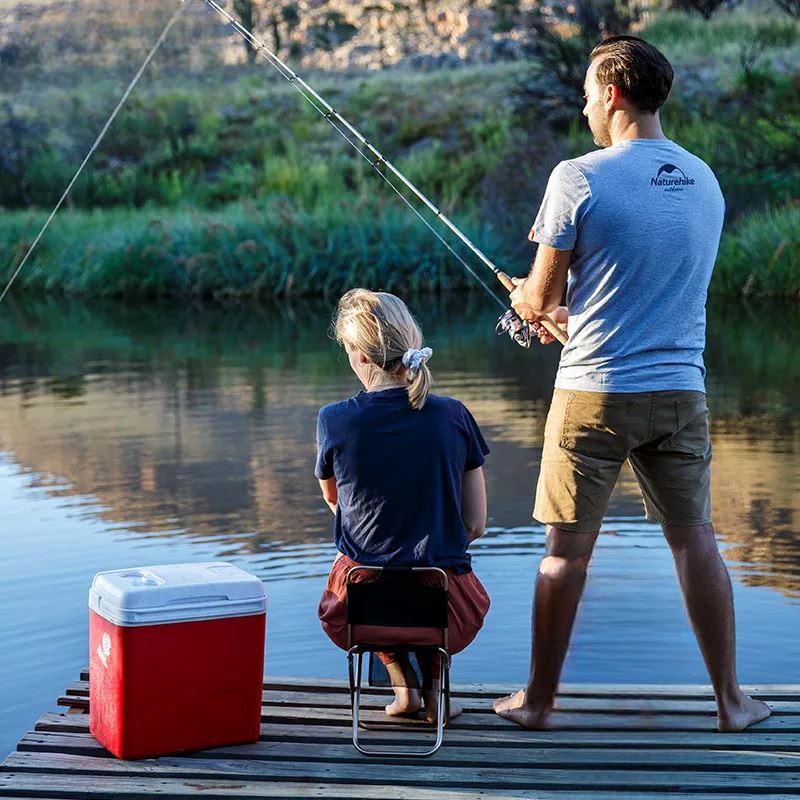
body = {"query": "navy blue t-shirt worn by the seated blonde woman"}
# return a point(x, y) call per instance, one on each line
point(399, 475)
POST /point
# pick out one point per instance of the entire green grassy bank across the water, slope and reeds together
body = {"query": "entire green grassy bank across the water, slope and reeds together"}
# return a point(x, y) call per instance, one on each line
point(226, 183)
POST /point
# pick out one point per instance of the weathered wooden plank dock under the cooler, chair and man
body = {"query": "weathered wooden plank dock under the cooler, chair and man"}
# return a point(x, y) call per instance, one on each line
point(607, 742)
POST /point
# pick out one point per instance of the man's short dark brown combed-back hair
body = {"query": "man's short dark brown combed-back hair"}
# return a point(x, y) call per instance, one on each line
point(641, 71)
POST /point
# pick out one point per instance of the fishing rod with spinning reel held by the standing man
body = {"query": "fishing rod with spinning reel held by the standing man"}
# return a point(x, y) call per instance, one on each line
point(509, 322)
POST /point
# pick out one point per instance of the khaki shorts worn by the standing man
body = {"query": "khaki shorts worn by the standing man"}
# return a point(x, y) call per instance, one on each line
point(589, 435)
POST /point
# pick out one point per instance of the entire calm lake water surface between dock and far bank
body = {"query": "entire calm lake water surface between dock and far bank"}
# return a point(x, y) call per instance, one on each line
point(133, 436)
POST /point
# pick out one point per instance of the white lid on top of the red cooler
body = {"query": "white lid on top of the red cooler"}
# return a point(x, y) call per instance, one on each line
point(176, 593)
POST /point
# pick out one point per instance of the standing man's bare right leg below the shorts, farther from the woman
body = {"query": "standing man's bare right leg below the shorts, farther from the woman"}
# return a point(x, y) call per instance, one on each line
point(706, 588)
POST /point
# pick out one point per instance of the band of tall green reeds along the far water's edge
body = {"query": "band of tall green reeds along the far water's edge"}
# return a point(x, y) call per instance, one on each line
point(274, 250)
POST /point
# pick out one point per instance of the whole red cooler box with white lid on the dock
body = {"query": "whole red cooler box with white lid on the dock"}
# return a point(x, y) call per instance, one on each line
point(176, 658)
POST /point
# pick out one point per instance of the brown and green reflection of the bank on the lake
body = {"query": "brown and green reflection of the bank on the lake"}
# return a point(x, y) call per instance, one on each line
point(199, 421)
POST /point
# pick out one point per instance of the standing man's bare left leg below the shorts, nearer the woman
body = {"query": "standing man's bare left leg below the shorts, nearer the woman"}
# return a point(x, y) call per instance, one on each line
point(559, 587)
